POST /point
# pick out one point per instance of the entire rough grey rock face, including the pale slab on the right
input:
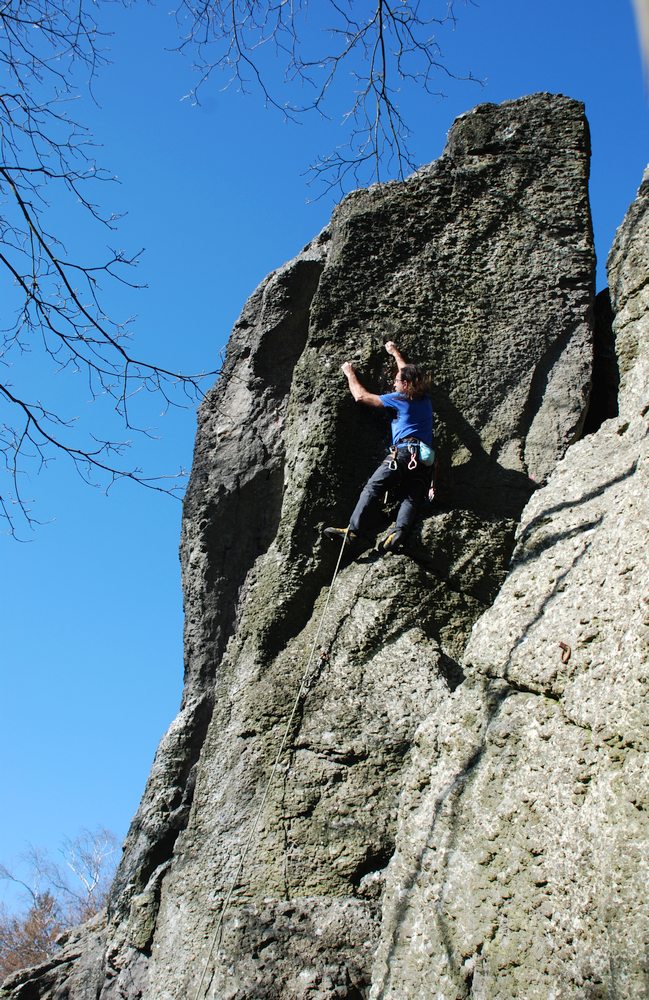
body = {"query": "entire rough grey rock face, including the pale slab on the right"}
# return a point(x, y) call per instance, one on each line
point(320, 727)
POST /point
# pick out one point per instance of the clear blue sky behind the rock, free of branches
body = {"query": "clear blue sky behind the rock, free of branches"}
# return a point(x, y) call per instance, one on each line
point(91, 609)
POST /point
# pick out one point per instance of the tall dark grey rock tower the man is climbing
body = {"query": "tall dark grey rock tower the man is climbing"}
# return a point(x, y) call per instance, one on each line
point(481, 267)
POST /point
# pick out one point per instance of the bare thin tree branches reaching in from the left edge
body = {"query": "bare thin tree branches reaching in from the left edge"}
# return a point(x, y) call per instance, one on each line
point(53, 309)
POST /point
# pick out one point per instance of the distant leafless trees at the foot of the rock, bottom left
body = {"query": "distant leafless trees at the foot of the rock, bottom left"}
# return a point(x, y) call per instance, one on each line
point(57, 896)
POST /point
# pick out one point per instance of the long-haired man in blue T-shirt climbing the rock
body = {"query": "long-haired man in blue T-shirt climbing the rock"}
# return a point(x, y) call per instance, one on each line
point(410, 460)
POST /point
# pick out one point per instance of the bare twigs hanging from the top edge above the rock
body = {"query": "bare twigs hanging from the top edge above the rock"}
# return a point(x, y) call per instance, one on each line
point(375, 48)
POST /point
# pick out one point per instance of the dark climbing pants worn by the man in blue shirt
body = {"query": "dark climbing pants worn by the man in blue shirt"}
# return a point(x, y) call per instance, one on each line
point(413, 486)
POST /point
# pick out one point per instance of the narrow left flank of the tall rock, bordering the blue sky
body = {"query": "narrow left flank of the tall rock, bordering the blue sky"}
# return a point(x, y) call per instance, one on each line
point(231, 514)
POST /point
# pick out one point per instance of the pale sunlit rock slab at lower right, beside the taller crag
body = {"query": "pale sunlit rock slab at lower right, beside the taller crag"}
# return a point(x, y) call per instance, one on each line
point(522, 859)
